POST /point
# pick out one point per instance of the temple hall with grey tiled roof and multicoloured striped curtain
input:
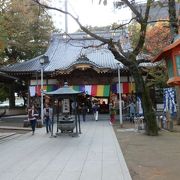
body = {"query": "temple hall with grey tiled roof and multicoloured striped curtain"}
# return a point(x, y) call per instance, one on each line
point(80, 60)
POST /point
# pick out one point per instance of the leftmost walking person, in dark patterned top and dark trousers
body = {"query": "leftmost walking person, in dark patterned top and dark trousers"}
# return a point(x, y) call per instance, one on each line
point(32, 117)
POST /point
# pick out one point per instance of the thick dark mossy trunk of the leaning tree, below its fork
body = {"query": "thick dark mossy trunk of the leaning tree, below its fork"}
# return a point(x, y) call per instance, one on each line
point(149, 113)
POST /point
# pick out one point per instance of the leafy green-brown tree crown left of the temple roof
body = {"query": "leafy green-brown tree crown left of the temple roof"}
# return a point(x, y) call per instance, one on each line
point(25, 30)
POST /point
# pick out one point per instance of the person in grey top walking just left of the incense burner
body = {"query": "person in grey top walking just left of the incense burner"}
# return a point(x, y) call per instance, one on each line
point(48, 113)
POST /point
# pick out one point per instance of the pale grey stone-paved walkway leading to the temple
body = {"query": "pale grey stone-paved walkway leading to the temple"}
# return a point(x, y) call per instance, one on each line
point(94, 155)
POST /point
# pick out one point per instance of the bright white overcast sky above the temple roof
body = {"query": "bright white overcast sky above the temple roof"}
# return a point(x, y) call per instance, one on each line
point(89, 14)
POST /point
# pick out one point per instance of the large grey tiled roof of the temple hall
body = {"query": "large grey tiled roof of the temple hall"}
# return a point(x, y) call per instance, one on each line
point(64, 51)
